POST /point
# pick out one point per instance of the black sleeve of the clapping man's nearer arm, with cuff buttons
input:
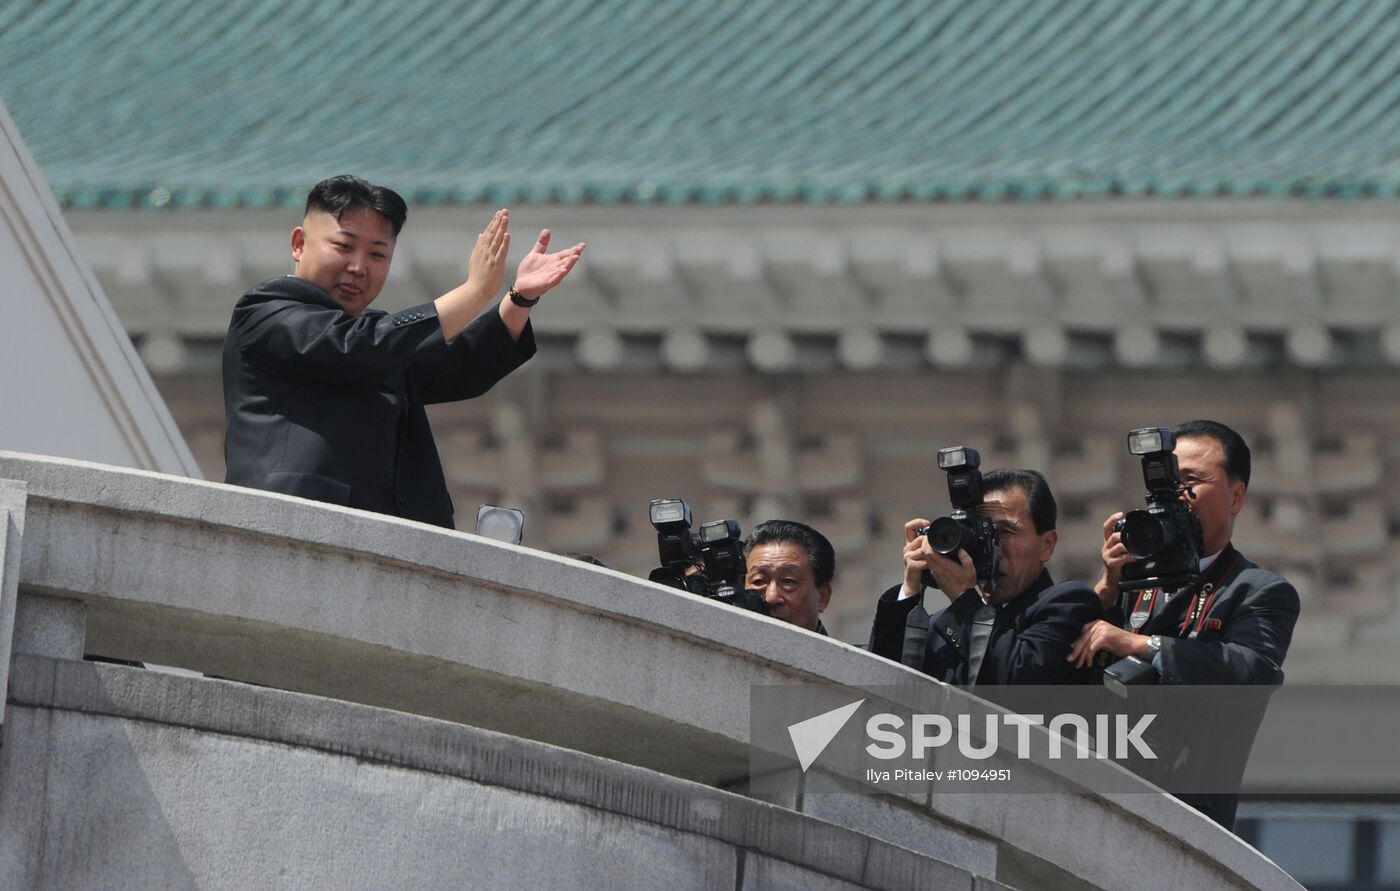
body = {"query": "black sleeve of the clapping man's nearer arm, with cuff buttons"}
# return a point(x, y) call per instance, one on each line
point(310, 341)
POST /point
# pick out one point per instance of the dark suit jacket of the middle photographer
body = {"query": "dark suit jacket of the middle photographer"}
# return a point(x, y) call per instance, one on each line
point(1031, 637)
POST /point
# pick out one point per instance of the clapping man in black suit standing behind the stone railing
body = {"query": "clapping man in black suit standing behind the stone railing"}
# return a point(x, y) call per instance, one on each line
point(324, 397)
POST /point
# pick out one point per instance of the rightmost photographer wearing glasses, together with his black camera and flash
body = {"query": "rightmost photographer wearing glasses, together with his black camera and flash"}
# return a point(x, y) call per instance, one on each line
point(1217, 619)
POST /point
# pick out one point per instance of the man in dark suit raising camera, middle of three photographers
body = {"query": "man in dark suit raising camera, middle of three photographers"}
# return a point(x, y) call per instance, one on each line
point(1020, 631)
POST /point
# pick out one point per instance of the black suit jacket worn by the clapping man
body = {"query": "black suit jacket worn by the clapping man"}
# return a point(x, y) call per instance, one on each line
point(328, 406)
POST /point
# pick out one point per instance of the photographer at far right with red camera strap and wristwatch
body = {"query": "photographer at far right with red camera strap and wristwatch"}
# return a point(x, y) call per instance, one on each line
point(1234, 627)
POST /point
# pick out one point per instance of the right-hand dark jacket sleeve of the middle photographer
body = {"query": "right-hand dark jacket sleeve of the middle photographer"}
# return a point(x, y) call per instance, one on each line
point(1039, 652)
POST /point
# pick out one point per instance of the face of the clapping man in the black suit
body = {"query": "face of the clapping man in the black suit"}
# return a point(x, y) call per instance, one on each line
point(348, 258)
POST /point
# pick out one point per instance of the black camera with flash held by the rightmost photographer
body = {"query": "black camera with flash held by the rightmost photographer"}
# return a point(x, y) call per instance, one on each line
point(1164, 539)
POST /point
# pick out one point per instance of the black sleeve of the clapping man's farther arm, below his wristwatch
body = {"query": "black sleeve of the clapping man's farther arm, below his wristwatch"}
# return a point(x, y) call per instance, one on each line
point(481, 357)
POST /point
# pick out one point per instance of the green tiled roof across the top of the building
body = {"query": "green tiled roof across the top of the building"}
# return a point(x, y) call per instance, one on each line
point(247, 103)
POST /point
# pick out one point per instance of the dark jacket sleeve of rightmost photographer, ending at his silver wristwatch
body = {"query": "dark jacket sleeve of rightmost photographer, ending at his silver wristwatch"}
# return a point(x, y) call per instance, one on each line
point(1254, 642)
